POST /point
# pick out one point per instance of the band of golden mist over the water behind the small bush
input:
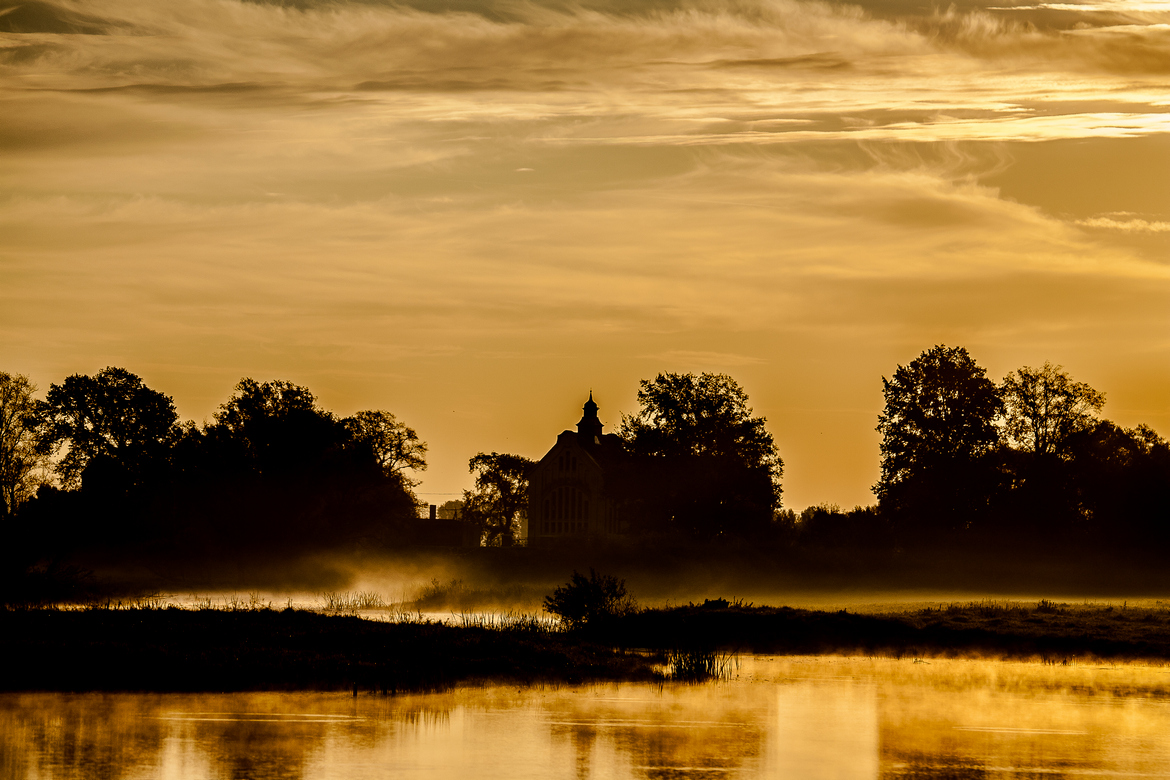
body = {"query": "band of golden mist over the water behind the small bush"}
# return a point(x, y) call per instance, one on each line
point(448, 585)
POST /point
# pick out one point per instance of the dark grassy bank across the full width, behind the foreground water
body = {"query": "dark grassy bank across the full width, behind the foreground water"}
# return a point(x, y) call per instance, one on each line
point(265, 650)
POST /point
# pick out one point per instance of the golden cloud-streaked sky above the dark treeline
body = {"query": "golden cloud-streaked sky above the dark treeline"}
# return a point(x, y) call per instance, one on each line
point(474, 212)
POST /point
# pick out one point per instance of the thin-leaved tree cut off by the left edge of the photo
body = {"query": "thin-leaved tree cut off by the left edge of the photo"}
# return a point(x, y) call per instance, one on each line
point(19, 457)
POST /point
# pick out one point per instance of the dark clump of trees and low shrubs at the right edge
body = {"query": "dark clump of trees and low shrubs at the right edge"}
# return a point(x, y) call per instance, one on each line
point(1024, 466)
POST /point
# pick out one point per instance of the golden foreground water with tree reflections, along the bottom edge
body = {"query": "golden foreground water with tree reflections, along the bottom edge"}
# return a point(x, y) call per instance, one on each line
point(804, 719)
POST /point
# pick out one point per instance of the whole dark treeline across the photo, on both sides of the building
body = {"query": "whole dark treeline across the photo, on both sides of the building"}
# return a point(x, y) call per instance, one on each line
point(102, 466)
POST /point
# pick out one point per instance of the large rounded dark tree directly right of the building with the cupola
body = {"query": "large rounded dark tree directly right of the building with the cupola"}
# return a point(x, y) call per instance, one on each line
point(701, 464)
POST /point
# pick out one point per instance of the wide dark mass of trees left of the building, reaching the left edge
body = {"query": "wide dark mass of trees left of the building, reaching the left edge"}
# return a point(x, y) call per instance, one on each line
point(104, 463)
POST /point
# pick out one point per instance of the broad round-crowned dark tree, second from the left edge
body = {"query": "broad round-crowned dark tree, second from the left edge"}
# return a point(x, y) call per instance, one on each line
point(111, 422)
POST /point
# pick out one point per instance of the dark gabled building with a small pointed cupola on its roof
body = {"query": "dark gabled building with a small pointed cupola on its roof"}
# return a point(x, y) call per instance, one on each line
point(567, 489)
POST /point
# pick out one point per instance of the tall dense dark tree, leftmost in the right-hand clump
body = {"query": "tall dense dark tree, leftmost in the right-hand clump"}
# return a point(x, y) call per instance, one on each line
point(939, 436)
